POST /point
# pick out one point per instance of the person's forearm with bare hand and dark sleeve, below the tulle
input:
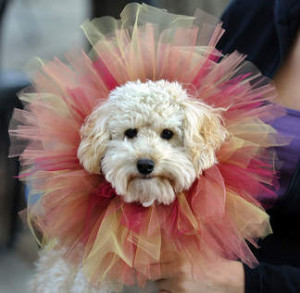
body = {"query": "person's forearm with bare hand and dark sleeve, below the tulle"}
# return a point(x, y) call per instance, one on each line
point(231, 277)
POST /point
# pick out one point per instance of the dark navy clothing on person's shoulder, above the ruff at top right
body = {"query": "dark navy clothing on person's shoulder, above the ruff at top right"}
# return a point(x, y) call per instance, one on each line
point(264, 30)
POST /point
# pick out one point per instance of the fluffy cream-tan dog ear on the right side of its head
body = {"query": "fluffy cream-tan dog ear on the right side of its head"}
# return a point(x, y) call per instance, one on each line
point(204, 134)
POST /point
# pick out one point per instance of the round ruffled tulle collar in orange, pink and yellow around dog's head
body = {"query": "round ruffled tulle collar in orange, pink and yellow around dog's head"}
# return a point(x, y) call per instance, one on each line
point(121, 242)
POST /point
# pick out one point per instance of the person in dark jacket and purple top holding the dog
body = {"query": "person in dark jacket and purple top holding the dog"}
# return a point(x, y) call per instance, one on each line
point(268, 32)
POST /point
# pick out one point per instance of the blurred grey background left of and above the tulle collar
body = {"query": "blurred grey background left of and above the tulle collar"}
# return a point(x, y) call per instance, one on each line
point(43, 28)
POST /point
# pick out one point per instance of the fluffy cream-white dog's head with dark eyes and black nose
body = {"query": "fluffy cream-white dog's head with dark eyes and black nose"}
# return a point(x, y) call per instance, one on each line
point(150, 140)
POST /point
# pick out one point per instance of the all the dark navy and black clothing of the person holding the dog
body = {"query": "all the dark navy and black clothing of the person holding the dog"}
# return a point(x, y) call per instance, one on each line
point(264, 30)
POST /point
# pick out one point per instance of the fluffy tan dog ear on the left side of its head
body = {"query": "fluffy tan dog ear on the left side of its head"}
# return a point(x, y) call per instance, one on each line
point(94, 139)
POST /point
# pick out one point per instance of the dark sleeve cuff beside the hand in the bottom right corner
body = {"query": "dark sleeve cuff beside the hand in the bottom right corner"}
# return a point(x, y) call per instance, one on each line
point(266, 278)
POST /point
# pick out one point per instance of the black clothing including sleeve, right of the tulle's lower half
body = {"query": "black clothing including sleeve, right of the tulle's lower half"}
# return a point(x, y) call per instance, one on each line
point(279, 270)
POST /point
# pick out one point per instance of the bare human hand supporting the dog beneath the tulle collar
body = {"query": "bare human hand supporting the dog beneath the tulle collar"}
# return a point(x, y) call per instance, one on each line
point(221, 277)
